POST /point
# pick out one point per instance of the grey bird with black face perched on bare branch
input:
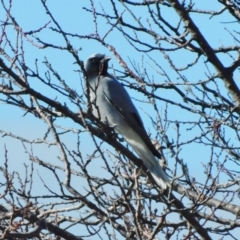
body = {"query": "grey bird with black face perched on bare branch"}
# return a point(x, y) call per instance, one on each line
point(112, 104)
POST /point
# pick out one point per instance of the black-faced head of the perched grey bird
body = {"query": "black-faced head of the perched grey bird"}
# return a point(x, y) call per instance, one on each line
point(96, 64)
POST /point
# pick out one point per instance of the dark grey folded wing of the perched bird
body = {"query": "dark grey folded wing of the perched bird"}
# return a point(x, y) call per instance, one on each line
point(118, 97)
